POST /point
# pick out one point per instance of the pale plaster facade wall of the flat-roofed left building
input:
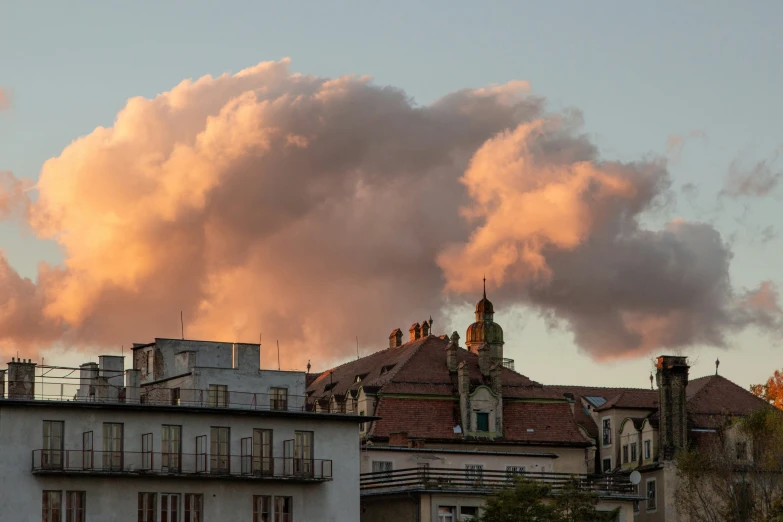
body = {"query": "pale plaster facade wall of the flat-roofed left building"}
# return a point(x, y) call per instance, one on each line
point(114, 499)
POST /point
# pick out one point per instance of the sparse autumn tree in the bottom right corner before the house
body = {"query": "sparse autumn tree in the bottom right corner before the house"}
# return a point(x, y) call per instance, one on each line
point(735, 474)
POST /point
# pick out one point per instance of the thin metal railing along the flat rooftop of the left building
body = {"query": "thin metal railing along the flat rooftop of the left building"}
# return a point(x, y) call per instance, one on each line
point(159, 396)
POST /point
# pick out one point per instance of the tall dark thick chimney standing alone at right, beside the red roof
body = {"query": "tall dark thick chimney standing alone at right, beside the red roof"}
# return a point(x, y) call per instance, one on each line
point(672, 379)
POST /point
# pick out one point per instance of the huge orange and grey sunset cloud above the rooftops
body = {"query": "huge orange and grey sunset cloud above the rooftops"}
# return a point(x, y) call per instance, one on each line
point(312, 210)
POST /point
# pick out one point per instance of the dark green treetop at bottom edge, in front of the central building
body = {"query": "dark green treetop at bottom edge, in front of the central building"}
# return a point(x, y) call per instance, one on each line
point(531, 501)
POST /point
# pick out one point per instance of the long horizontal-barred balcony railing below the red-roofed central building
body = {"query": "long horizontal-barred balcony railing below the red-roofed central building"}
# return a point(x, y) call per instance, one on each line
point(485, 480)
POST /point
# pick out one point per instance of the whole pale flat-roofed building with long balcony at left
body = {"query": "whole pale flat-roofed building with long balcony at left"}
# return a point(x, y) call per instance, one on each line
point(194, 432)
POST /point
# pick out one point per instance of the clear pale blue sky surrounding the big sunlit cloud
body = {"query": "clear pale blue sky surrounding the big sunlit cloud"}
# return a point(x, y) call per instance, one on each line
point(639, 72)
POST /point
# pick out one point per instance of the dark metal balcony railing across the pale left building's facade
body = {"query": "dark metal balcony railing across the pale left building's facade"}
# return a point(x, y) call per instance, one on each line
point(204, 465)
